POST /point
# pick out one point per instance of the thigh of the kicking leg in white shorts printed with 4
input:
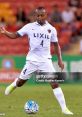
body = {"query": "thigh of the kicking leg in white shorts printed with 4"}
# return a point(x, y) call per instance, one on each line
point(27, 71)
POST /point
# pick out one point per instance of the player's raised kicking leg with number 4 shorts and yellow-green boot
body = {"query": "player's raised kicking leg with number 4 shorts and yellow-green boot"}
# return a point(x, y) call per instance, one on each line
point(28, 69)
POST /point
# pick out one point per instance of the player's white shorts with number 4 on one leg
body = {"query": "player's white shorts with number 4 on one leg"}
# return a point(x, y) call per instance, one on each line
point(32, 66)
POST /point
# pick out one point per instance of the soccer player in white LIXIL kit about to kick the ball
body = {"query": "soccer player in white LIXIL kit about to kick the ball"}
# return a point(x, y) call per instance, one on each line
point(40, 33)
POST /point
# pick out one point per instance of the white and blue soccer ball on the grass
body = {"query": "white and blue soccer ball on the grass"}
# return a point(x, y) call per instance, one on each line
point(31, 107)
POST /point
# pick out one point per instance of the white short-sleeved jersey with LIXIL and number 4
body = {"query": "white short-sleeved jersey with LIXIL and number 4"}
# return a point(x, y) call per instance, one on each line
point(39, 37)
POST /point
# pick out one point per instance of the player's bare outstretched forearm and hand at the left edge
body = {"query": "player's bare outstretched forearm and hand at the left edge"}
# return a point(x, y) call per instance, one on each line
point(11, 35)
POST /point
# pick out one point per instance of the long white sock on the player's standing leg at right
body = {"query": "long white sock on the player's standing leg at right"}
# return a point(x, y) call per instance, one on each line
point(60, 97)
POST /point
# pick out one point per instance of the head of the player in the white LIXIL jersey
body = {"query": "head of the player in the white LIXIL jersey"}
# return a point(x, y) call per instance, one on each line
point(41, 15)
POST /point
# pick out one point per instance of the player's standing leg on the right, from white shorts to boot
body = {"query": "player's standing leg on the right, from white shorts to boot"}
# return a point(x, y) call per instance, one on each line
point(56, 88)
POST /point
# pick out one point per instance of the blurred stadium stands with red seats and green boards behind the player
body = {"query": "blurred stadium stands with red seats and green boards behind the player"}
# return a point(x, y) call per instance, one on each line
point(64, 15)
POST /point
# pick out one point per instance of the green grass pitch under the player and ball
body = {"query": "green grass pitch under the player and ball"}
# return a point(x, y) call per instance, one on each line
point(13, 104)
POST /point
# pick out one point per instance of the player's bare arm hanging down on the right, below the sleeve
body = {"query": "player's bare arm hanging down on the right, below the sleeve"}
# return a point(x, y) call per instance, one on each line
point(58, 53)
